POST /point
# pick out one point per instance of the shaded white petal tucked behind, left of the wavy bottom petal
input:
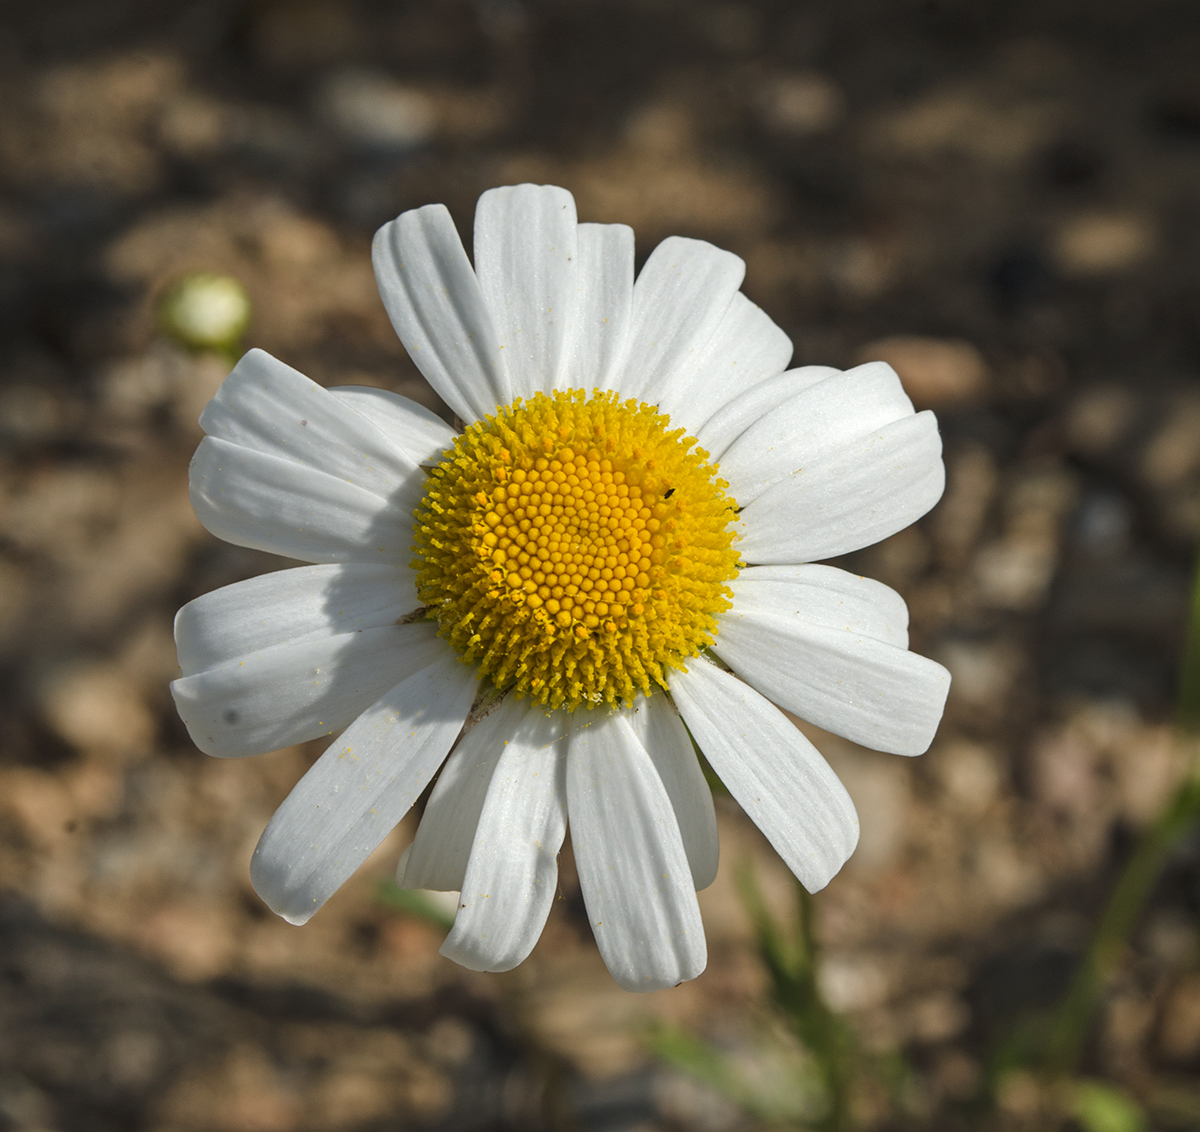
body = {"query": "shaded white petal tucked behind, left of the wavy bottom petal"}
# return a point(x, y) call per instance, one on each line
point(443, 841)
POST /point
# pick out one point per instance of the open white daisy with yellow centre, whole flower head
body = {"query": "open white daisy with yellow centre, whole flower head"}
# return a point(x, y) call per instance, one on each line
point(611, 565)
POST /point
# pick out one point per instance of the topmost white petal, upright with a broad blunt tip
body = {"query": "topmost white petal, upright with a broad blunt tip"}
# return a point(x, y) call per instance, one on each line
point(527, 263)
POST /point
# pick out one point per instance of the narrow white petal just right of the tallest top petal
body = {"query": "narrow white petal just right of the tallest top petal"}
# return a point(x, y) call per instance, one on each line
point(604, 308)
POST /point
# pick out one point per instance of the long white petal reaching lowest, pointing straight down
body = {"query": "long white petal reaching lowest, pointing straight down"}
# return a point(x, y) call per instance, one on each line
point(633, 869)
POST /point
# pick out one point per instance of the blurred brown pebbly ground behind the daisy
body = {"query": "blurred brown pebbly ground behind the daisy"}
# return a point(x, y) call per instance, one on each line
point(1000, 197)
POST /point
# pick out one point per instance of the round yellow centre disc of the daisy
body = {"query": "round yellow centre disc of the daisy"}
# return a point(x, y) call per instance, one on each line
point(575, 549)
